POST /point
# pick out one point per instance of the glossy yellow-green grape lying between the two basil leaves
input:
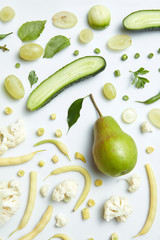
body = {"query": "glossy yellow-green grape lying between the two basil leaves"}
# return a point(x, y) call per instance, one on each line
point(31, 51)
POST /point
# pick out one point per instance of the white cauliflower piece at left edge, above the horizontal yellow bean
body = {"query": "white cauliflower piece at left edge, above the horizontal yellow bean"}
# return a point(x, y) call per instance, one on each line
point(11, 135)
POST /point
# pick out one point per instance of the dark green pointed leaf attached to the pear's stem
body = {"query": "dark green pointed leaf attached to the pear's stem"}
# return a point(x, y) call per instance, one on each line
point(74, 112)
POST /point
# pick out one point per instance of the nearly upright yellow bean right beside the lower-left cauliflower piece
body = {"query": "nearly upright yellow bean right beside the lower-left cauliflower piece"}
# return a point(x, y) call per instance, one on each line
point(31, 202)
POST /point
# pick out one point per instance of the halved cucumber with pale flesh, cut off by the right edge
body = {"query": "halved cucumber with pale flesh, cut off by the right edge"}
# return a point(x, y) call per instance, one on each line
point(143, 20)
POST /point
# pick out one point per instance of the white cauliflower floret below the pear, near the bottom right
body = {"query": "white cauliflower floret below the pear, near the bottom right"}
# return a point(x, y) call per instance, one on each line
point(117, 207)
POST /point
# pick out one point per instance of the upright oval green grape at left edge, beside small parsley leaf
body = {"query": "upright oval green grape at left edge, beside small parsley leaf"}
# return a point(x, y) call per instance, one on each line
point(14, 87)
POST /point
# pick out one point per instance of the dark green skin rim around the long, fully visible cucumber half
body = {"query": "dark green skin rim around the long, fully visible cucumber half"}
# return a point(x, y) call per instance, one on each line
point(62, 89)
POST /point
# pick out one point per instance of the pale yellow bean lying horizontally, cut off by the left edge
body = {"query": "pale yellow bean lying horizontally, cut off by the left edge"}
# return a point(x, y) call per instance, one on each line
point(17, 160)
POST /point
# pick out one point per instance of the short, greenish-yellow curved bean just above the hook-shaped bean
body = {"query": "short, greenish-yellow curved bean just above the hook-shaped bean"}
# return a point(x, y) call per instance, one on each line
point(61, 146)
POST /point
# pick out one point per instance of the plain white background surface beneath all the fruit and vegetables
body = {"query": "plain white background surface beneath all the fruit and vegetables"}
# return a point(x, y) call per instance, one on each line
point(80, 137)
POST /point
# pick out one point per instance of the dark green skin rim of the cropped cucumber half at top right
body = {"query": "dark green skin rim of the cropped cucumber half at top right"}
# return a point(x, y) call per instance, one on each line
point(141, 29)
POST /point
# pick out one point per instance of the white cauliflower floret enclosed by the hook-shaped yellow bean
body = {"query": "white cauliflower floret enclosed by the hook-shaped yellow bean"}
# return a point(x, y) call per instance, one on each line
point(65, 191)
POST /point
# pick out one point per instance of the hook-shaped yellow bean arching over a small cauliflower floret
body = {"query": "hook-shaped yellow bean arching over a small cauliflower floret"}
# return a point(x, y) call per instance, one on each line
point(86, 175)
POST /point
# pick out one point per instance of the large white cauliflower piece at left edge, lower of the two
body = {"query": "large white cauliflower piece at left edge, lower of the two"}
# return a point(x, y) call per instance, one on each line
point(9, 200)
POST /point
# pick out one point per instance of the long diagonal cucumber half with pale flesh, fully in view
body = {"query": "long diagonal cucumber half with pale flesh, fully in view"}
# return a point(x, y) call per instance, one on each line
point(73, 72)
